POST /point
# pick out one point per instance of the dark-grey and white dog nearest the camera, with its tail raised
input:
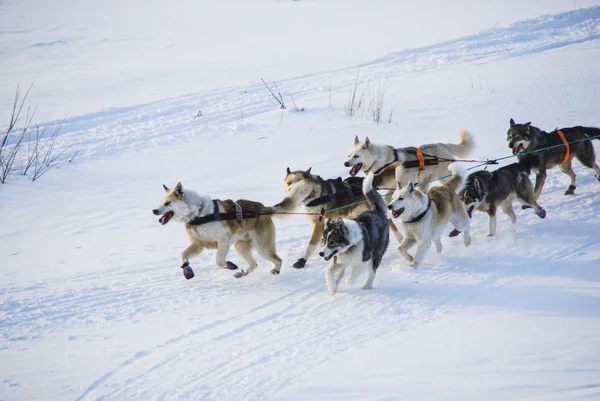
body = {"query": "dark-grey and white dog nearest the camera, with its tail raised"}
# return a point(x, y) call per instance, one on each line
point(358, 244)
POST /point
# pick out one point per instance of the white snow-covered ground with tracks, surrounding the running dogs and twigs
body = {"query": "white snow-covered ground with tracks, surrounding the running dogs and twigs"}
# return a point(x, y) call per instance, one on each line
point(92, 301)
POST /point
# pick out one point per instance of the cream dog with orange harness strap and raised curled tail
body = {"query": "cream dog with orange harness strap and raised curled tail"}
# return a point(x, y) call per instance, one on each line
point(368, 156)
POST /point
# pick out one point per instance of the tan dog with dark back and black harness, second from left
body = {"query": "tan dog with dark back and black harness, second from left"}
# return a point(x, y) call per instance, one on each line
point(306, 189)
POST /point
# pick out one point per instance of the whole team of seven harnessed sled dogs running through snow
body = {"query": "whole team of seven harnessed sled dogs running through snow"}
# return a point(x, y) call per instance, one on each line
point(355, 232)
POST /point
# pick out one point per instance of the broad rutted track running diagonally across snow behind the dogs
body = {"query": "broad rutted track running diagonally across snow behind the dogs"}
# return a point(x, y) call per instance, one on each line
point(166, 120)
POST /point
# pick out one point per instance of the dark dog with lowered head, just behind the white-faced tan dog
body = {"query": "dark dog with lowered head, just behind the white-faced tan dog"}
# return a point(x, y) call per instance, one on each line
point(486, 191)
